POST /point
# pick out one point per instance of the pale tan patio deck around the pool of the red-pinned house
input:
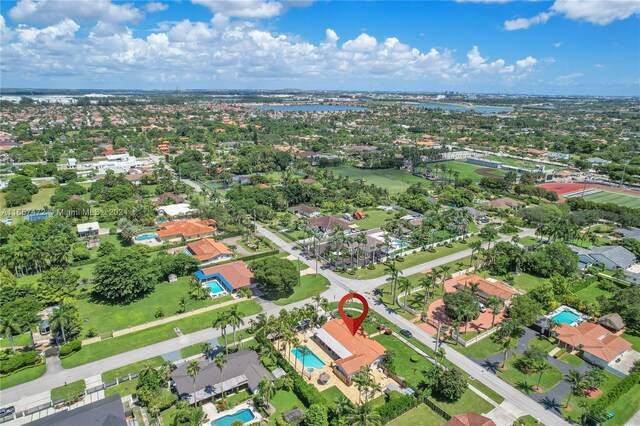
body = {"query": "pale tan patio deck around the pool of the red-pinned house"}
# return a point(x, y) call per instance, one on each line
point(350, 392)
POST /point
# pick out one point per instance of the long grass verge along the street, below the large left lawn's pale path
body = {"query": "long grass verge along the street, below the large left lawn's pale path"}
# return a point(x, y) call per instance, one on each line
point(152, 335)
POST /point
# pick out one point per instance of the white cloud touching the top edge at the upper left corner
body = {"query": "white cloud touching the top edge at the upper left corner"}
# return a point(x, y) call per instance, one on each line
point(83, 11)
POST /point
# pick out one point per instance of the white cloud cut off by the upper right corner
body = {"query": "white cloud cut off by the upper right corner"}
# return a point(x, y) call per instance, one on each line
point(602, 12)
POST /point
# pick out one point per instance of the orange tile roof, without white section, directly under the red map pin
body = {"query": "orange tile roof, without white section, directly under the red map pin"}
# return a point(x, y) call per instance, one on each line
point(364, 350)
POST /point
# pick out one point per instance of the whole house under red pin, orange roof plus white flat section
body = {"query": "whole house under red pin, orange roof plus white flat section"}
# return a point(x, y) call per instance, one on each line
point(352, 353)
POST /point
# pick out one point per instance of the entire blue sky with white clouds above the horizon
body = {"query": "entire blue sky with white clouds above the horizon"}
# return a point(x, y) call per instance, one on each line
point(542, 47)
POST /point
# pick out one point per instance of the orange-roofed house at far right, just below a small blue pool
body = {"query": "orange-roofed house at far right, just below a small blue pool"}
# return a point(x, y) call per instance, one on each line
point(599, 346)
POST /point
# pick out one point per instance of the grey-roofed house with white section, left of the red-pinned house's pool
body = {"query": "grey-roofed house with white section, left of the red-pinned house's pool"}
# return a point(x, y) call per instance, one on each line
point(242, 372)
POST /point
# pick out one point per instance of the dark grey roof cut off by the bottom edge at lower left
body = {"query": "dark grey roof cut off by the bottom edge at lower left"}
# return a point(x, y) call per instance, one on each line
point(105, 412)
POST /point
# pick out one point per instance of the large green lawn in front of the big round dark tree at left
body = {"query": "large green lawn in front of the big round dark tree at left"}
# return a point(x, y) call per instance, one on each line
point(107, 317)
